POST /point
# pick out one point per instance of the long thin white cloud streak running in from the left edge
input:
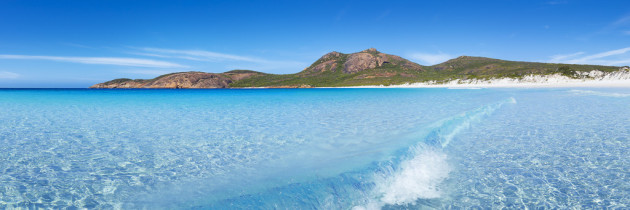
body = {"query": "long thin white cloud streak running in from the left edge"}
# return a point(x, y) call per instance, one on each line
point(99, 60)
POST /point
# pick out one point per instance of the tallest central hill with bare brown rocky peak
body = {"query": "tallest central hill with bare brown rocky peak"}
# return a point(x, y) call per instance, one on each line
point(368, 67)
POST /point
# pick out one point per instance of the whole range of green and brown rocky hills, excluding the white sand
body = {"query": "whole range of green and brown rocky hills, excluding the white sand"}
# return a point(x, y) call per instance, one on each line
point(368, 67)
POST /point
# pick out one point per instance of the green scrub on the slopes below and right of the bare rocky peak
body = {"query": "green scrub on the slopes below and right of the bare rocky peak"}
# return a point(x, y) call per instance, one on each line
point(464, 67)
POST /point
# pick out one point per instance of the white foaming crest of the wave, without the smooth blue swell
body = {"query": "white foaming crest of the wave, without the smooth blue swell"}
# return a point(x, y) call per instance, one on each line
point(419, 175)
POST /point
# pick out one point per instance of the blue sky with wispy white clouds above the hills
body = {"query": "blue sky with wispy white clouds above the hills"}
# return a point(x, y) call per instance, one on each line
point(69, 43)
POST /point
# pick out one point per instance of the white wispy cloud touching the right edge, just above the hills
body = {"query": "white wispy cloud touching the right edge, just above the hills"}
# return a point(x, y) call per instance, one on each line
point(612, 57)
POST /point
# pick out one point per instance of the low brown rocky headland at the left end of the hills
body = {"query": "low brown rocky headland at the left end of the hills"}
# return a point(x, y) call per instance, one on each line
point(199, 80)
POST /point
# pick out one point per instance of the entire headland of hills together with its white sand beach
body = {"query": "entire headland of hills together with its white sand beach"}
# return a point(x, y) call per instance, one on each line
point(371, 68)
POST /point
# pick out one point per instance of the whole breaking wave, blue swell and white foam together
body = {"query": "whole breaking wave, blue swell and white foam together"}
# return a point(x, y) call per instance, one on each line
point(411, 174)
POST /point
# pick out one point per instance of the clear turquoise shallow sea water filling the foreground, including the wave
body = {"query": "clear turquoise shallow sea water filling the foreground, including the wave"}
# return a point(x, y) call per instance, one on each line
point(315, 148)
